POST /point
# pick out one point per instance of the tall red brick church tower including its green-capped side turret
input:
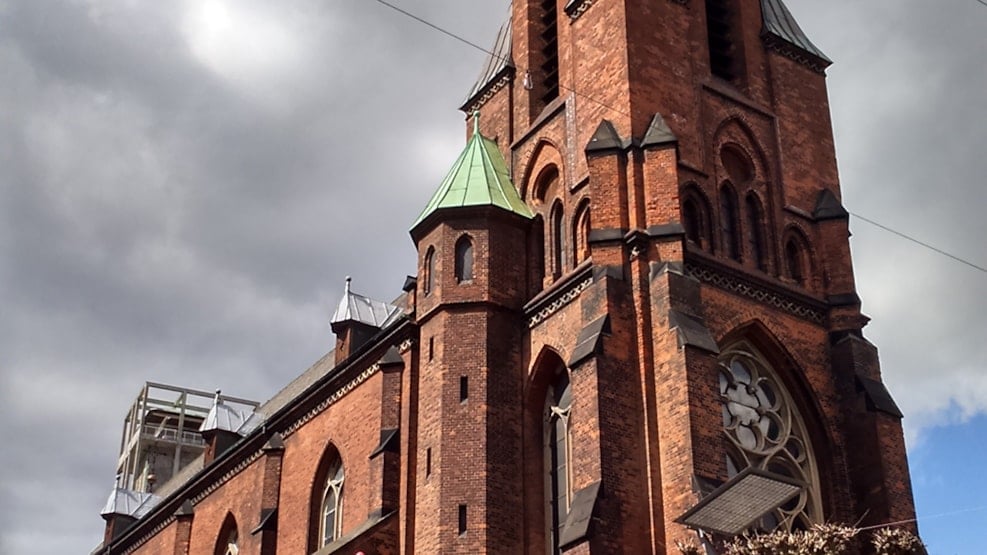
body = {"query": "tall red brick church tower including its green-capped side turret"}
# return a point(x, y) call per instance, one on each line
point(661, 306)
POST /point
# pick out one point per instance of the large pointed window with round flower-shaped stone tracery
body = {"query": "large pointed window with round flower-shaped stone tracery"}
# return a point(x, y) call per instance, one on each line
point(765, 430)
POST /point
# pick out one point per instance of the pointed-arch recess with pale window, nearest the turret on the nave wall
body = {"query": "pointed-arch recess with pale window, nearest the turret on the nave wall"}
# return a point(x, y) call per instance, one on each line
point(327, 498)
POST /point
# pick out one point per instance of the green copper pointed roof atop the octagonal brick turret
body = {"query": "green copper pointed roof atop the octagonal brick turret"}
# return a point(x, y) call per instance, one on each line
point(478, 178)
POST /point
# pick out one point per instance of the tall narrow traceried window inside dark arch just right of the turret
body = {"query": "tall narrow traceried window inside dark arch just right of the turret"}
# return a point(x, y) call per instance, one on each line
point(558, 454)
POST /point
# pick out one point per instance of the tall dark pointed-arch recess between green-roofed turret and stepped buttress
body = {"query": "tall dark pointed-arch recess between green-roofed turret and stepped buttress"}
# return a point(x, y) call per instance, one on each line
point(548, 430)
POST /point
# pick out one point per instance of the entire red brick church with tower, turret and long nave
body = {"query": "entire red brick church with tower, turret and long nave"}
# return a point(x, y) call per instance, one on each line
point(634, 322)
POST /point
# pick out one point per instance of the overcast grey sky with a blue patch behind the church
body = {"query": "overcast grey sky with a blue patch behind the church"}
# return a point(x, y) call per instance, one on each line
point(184, 186)
